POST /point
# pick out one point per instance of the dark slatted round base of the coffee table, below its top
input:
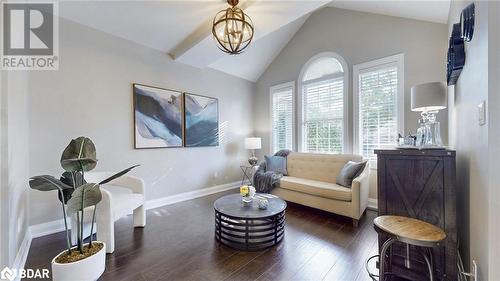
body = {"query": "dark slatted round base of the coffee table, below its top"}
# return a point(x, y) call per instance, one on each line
point(249, 234)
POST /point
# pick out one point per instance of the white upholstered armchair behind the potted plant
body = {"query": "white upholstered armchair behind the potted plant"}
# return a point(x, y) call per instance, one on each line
point(120, 197)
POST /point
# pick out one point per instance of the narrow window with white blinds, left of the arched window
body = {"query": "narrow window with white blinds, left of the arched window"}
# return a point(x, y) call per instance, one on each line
point(282, 118)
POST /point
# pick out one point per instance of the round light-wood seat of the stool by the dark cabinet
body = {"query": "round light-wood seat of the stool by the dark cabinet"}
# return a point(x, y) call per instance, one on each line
point(410, 229)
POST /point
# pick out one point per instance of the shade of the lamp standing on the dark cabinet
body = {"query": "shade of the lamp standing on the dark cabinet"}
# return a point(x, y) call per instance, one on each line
point(428, 97)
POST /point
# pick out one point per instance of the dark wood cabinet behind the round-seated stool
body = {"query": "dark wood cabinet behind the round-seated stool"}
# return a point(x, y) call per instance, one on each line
point(420, 184)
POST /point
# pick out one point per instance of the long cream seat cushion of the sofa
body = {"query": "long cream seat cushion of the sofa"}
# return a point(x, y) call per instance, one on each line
point(318, 188)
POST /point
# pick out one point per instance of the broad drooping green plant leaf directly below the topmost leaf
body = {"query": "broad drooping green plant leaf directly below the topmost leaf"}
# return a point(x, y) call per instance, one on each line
point(84, 196)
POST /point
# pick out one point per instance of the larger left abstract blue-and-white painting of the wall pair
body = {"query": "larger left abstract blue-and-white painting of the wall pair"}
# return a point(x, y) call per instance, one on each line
point(158, 117)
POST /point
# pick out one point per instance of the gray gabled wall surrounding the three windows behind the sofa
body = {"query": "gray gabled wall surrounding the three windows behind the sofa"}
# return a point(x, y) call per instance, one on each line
point(358, 37)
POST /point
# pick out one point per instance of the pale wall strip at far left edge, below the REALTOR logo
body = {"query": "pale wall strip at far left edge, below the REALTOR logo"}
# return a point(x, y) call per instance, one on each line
point(14, 164)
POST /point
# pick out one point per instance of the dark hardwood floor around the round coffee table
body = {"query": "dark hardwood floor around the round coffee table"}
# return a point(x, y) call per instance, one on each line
point(178, 244)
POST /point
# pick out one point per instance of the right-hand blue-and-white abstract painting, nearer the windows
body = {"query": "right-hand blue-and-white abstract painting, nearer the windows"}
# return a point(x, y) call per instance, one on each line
point(202, 121)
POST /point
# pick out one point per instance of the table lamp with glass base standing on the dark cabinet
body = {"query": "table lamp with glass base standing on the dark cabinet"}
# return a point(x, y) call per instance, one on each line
point(428, 99)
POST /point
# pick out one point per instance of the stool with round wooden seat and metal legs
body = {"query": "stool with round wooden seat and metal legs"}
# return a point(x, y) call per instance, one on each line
point(410, 232)
